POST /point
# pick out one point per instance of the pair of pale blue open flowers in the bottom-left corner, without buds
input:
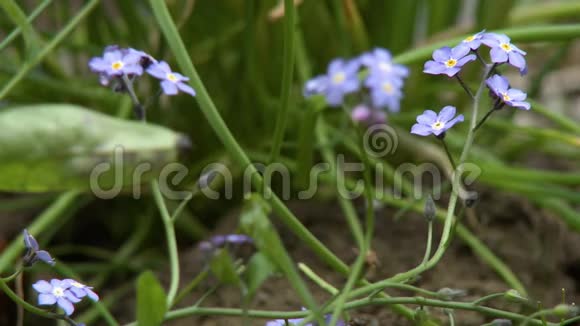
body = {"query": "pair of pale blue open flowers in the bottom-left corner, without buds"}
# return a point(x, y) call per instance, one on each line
point(64, 293)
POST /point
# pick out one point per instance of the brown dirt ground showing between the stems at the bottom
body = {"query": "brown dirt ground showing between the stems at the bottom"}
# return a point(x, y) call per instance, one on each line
point(536, 246)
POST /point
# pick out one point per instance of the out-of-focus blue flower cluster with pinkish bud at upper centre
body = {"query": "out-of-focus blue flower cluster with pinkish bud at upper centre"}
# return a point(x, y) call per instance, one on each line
point(384, 82)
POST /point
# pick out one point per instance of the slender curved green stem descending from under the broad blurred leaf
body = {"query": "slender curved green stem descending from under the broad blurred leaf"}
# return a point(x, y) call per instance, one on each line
point(171, 242)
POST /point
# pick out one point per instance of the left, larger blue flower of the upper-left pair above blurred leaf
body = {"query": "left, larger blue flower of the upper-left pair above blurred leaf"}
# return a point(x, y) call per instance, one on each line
point(117, 62)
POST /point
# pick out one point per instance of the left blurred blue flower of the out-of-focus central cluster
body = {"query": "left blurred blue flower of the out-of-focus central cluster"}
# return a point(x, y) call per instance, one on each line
point(341, 79)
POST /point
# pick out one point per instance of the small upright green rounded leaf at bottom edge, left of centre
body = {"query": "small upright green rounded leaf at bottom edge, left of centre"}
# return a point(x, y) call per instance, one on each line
point(151, 306)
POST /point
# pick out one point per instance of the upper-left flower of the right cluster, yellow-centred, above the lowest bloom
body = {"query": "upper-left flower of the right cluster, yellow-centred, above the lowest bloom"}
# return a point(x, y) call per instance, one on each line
point(448, 60)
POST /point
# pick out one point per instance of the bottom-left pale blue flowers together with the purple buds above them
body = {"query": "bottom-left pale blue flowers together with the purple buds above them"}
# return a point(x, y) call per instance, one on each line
point(64, 293)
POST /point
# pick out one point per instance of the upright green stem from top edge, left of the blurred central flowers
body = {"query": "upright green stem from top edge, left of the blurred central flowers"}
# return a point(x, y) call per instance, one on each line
point(287, 77)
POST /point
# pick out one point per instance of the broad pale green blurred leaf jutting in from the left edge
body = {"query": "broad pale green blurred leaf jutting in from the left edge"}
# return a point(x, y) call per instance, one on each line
point(55, 147)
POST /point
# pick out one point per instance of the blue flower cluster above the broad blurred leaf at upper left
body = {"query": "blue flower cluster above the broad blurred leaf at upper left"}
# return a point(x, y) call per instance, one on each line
point(117, 63)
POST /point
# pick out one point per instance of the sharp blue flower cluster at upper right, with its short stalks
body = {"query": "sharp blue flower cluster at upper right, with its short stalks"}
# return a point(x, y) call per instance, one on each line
point(450, 61)
